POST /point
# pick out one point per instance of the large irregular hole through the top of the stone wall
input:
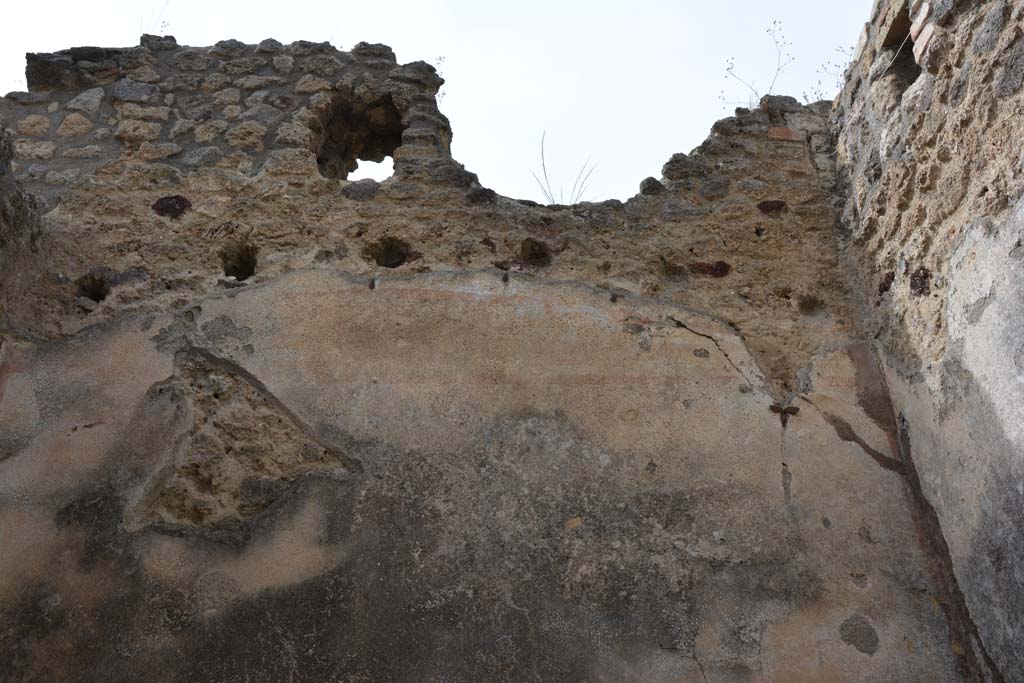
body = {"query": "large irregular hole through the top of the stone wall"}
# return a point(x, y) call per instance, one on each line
point(359, 132)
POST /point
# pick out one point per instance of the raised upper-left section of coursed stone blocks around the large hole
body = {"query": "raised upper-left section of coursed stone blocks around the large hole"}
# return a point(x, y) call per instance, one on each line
point(231, 107)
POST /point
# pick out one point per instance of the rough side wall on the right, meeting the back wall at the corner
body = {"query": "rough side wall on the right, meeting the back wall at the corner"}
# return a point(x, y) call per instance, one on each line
point(929, 131)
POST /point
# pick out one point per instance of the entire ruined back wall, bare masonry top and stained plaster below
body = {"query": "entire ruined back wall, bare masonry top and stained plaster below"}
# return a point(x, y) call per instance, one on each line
point(258, 420)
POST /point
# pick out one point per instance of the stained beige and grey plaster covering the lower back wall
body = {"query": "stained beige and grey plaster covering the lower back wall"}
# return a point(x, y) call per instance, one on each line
point(470, 497)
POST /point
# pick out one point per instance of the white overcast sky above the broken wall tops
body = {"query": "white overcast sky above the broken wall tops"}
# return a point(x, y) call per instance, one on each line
point(624, 83)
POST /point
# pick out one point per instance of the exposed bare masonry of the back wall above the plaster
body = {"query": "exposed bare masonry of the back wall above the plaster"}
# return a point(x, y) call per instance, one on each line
point(259, 141)
